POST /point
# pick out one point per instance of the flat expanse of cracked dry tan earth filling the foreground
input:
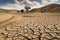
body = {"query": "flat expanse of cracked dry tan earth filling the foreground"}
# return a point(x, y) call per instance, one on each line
point(32, 27)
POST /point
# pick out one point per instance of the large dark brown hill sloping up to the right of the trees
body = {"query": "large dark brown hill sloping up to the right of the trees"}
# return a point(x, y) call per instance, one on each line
point(52, 8)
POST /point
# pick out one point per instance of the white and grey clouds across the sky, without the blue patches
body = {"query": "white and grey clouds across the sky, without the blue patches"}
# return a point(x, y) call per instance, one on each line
point(20, 5)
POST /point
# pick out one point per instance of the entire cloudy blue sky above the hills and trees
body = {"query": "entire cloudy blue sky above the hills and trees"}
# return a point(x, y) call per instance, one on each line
point(20, 4)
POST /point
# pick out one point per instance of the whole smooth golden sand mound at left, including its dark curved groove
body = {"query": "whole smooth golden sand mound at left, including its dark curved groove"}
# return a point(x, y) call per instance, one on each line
point(7, 18)
